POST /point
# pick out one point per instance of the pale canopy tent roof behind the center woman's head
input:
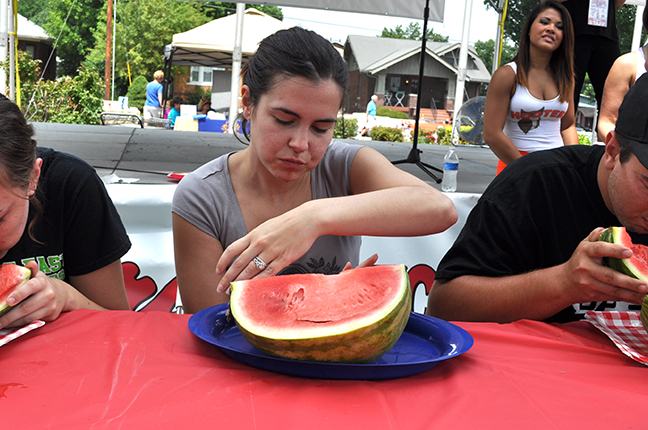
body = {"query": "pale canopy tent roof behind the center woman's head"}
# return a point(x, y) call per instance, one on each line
point(212, 44)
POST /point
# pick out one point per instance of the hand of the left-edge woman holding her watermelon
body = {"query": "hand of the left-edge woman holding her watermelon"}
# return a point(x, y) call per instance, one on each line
point(40, 298)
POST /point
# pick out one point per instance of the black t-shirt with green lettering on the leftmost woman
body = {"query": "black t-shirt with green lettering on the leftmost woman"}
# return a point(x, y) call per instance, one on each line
point(80, 230)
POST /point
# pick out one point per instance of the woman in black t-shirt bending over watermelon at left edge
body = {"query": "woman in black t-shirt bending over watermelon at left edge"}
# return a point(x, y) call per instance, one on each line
point(57, 219)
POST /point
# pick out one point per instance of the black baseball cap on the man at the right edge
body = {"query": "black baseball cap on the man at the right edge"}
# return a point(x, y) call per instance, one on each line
point(632, 122)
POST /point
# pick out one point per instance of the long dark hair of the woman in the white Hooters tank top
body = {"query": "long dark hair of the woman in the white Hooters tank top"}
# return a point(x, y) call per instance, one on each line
point(562, 59)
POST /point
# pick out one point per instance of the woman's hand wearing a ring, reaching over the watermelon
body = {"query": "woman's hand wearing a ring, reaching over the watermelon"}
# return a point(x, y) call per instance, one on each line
point(276, 243)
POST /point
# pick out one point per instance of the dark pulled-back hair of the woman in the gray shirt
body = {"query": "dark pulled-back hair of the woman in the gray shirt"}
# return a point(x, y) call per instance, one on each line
point(294, 52)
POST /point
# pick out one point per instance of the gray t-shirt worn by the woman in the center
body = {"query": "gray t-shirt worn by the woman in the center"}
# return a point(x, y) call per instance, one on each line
point(206, 199)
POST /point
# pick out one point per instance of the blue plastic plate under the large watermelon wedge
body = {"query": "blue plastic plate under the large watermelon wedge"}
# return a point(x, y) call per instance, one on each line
point(425, 342)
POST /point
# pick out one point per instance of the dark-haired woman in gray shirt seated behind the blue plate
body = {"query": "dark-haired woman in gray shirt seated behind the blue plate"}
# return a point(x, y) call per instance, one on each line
point(292, 201)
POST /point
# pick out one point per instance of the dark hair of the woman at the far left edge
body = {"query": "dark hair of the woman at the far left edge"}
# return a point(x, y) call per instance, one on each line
point(17, 151)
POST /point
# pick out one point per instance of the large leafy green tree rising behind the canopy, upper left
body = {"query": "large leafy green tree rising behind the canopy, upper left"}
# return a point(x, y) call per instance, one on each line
point(82, 25)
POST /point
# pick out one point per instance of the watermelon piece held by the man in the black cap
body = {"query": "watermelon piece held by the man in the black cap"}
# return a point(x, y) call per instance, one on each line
point(635, 266)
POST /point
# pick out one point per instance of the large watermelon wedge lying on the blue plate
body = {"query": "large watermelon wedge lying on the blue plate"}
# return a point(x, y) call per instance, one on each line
point(355, 316)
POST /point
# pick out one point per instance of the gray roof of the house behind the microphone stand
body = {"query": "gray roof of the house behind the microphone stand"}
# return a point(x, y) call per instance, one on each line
point(374, 54)
